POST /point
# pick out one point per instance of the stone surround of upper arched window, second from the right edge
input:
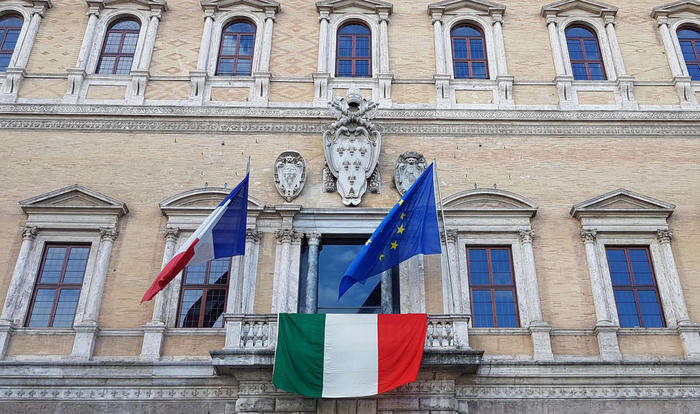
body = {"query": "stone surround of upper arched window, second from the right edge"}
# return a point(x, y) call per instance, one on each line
point(600, 18)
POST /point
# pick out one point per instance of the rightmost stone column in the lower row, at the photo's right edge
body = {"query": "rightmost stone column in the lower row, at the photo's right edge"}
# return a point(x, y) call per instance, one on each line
point(686, 328)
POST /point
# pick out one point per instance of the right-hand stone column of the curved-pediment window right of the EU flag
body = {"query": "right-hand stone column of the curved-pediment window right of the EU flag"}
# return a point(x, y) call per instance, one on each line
point(539, 329)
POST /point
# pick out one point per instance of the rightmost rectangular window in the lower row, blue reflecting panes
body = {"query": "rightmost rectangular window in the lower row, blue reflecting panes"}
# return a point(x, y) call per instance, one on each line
point(634, 287)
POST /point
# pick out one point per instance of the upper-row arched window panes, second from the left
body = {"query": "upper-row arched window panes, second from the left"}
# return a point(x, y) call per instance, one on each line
point(119, 47)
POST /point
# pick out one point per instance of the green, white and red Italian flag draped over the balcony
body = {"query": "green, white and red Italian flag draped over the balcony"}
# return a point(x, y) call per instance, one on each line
point(339, 356)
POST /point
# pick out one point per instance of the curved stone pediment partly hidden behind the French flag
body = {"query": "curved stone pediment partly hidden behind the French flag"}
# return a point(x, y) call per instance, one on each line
point(201, 200)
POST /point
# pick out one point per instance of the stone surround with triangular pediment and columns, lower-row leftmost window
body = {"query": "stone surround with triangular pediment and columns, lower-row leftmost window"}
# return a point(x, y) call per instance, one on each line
point(73, 214)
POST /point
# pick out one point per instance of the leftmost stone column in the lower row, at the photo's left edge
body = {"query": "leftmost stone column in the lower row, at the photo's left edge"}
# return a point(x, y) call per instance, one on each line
point(12, 299)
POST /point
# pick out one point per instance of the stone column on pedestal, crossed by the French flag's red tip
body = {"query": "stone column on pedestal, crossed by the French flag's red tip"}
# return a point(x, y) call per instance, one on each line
point(154, 331)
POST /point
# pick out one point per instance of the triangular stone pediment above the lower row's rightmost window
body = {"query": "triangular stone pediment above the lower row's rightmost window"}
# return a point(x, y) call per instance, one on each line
point(622, 201)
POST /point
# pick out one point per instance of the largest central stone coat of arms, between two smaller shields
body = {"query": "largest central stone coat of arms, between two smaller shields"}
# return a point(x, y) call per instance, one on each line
point(352, 145)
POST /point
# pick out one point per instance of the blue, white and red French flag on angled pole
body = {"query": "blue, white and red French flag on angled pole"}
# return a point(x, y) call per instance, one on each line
point(222, 234)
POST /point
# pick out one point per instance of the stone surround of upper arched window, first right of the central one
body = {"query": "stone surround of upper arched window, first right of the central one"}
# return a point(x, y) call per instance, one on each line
point(488, 17)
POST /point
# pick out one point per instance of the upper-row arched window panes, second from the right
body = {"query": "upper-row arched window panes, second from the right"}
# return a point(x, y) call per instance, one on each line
point(584, 53)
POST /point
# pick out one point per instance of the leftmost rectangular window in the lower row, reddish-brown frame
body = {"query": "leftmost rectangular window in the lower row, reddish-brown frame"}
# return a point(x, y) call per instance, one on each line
point(58, 287)
